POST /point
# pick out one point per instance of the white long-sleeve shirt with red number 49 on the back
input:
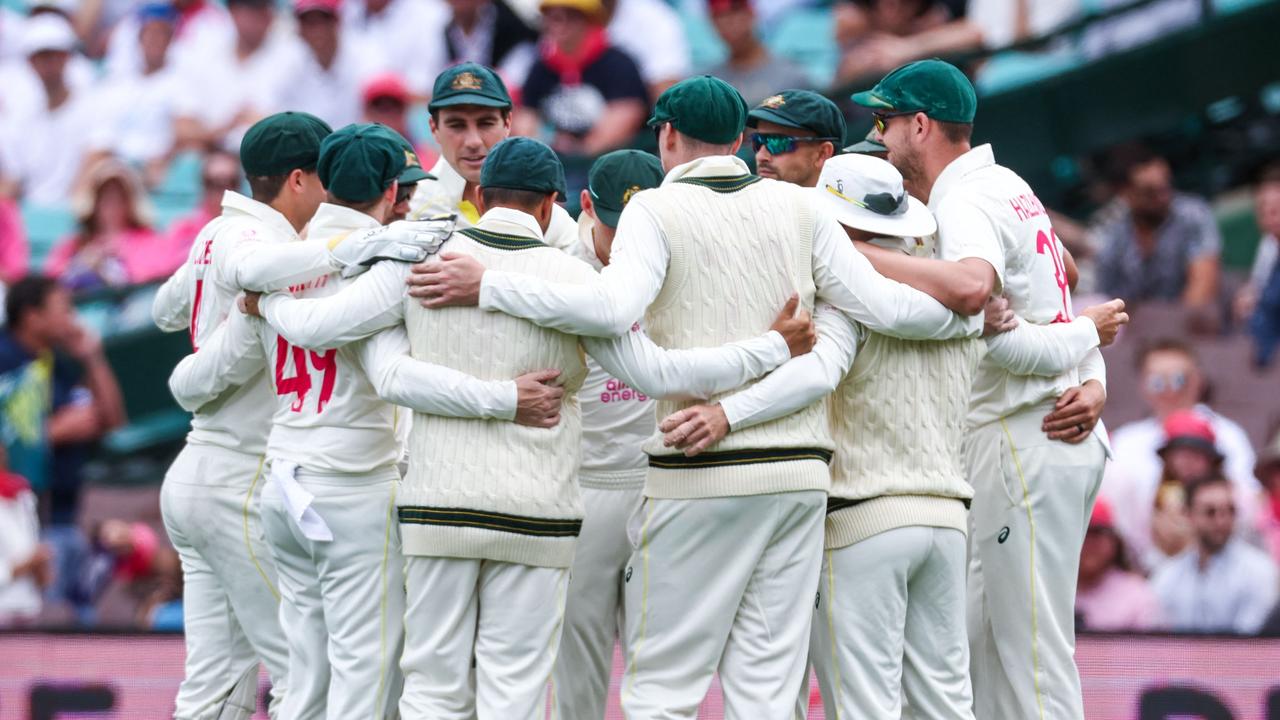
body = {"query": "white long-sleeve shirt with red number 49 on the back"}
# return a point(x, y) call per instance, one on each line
point(331, 414)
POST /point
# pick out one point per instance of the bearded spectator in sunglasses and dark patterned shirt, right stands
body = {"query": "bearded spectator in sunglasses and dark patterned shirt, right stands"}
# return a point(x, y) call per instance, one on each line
point(1164, 245)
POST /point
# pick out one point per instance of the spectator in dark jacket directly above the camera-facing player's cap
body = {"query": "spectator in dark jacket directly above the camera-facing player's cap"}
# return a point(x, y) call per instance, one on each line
point(490, 34)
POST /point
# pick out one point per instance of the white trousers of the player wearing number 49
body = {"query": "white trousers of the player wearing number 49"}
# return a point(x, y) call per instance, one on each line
point(341, 601)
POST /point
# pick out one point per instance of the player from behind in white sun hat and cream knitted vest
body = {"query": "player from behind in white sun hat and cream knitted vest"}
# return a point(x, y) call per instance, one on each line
point(898, 516)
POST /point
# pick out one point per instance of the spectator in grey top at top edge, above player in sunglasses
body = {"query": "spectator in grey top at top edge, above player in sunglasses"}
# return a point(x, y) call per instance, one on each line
point(756, 72)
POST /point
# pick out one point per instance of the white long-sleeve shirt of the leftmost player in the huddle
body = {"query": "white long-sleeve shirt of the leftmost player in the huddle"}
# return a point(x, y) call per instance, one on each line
point(199, 298)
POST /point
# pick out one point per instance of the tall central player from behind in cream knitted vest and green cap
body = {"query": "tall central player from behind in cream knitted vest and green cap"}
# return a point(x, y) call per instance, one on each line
point(728, 549)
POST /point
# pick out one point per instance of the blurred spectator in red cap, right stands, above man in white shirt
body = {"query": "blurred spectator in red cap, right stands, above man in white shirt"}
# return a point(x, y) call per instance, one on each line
point(1190, 454)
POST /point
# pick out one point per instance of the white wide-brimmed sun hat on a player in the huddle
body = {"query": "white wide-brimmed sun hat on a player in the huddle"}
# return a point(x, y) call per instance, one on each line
point(867, 194)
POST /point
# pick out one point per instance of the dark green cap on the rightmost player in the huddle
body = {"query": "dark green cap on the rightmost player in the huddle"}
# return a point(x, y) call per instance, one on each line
point(934, 88)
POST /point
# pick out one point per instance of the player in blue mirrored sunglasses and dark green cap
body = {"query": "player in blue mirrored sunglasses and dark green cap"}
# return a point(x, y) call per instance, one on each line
point(796, 133)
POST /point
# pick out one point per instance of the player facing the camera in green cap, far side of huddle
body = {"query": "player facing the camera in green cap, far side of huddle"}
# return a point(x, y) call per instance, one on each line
point(472, 113)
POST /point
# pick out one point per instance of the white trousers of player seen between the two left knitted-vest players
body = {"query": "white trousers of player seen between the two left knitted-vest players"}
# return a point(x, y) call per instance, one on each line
point(593, 616)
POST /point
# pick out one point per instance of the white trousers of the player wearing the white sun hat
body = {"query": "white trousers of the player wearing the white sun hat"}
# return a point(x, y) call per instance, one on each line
point(890, 625)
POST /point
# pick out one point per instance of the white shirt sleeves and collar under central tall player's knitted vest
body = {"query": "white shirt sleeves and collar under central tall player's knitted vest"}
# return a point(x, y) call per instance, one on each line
point(638, 270)
